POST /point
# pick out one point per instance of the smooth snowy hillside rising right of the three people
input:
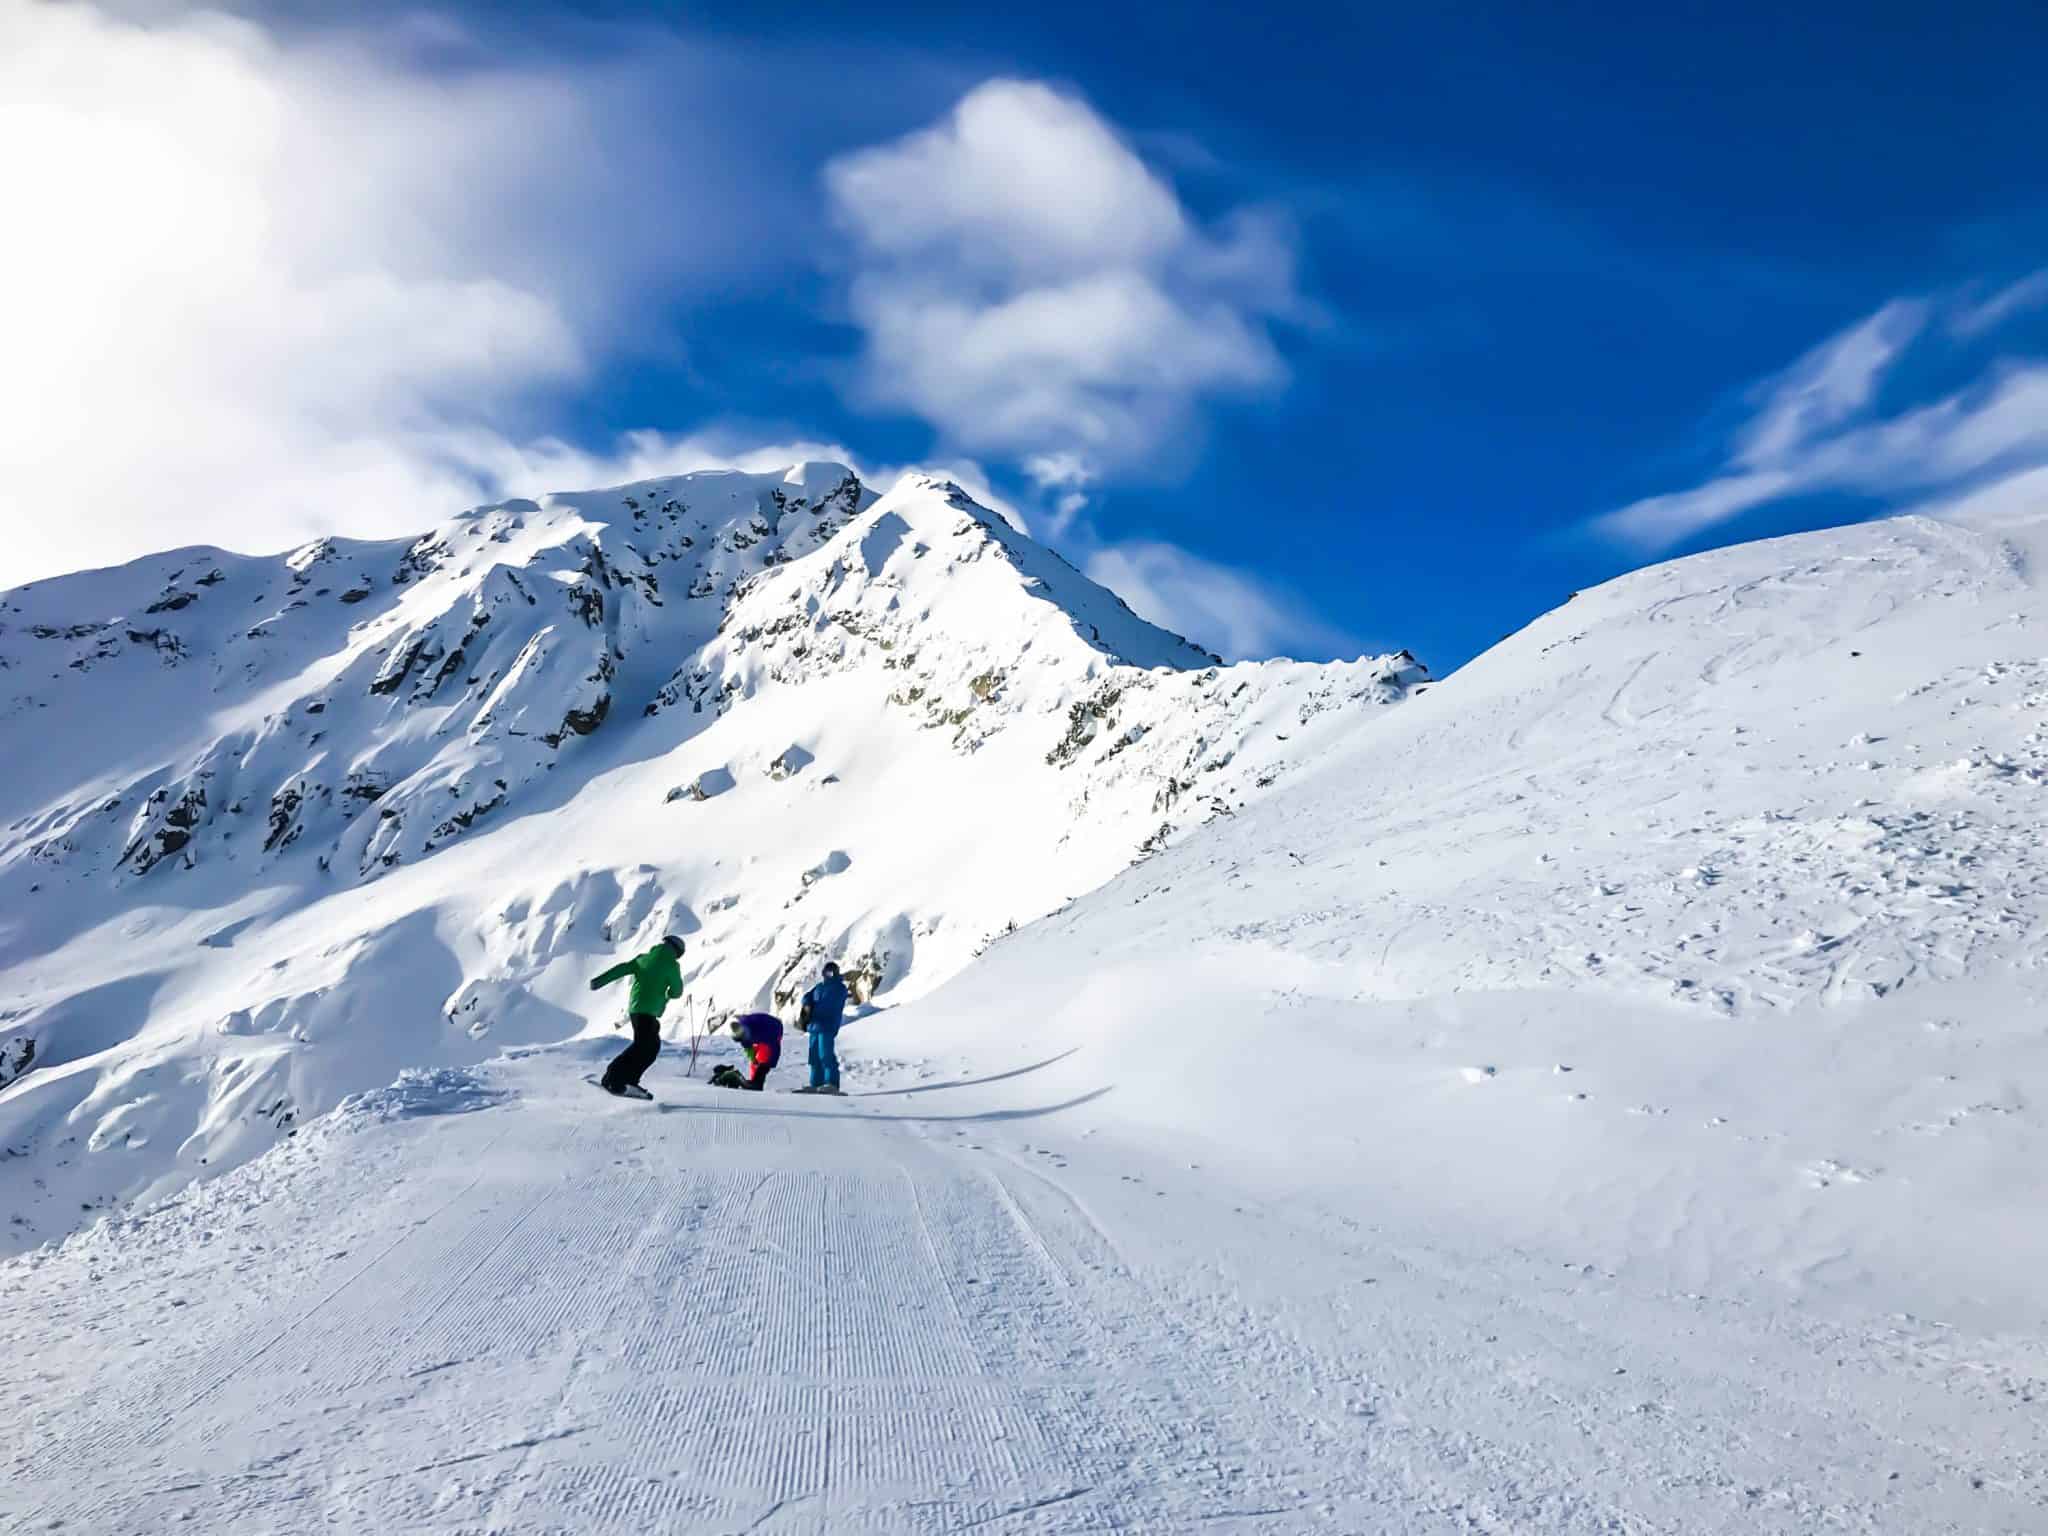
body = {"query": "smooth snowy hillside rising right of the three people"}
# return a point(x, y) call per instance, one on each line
point(1695, 933)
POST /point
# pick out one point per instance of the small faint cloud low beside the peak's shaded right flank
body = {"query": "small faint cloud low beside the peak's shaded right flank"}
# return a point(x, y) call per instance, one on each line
point(1213, 605)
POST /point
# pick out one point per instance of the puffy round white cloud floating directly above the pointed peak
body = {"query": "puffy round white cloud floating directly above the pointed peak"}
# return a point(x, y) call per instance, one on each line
point(1031, 288)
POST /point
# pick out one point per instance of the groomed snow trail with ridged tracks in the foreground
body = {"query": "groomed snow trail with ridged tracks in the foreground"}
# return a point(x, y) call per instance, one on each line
point(501, 1302)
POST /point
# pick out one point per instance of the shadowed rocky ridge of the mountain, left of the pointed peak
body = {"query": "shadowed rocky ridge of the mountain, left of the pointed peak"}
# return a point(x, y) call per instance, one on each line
point(220, 701)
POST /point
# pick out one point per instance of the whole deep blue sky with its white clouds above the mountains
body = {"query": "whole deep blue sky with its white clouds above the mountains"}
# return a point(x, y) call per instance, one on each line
point(1314, 331)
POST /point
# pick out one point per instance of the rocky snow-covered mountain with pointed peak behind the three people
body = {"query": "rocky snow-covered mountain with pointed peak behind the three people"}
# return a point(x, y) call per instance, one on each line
point(273, 830)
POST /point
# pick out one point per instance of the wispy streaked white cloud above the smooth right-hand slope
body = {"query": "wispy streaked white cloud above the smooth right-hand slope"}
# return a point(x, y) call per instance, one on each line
point(1816, 429)
